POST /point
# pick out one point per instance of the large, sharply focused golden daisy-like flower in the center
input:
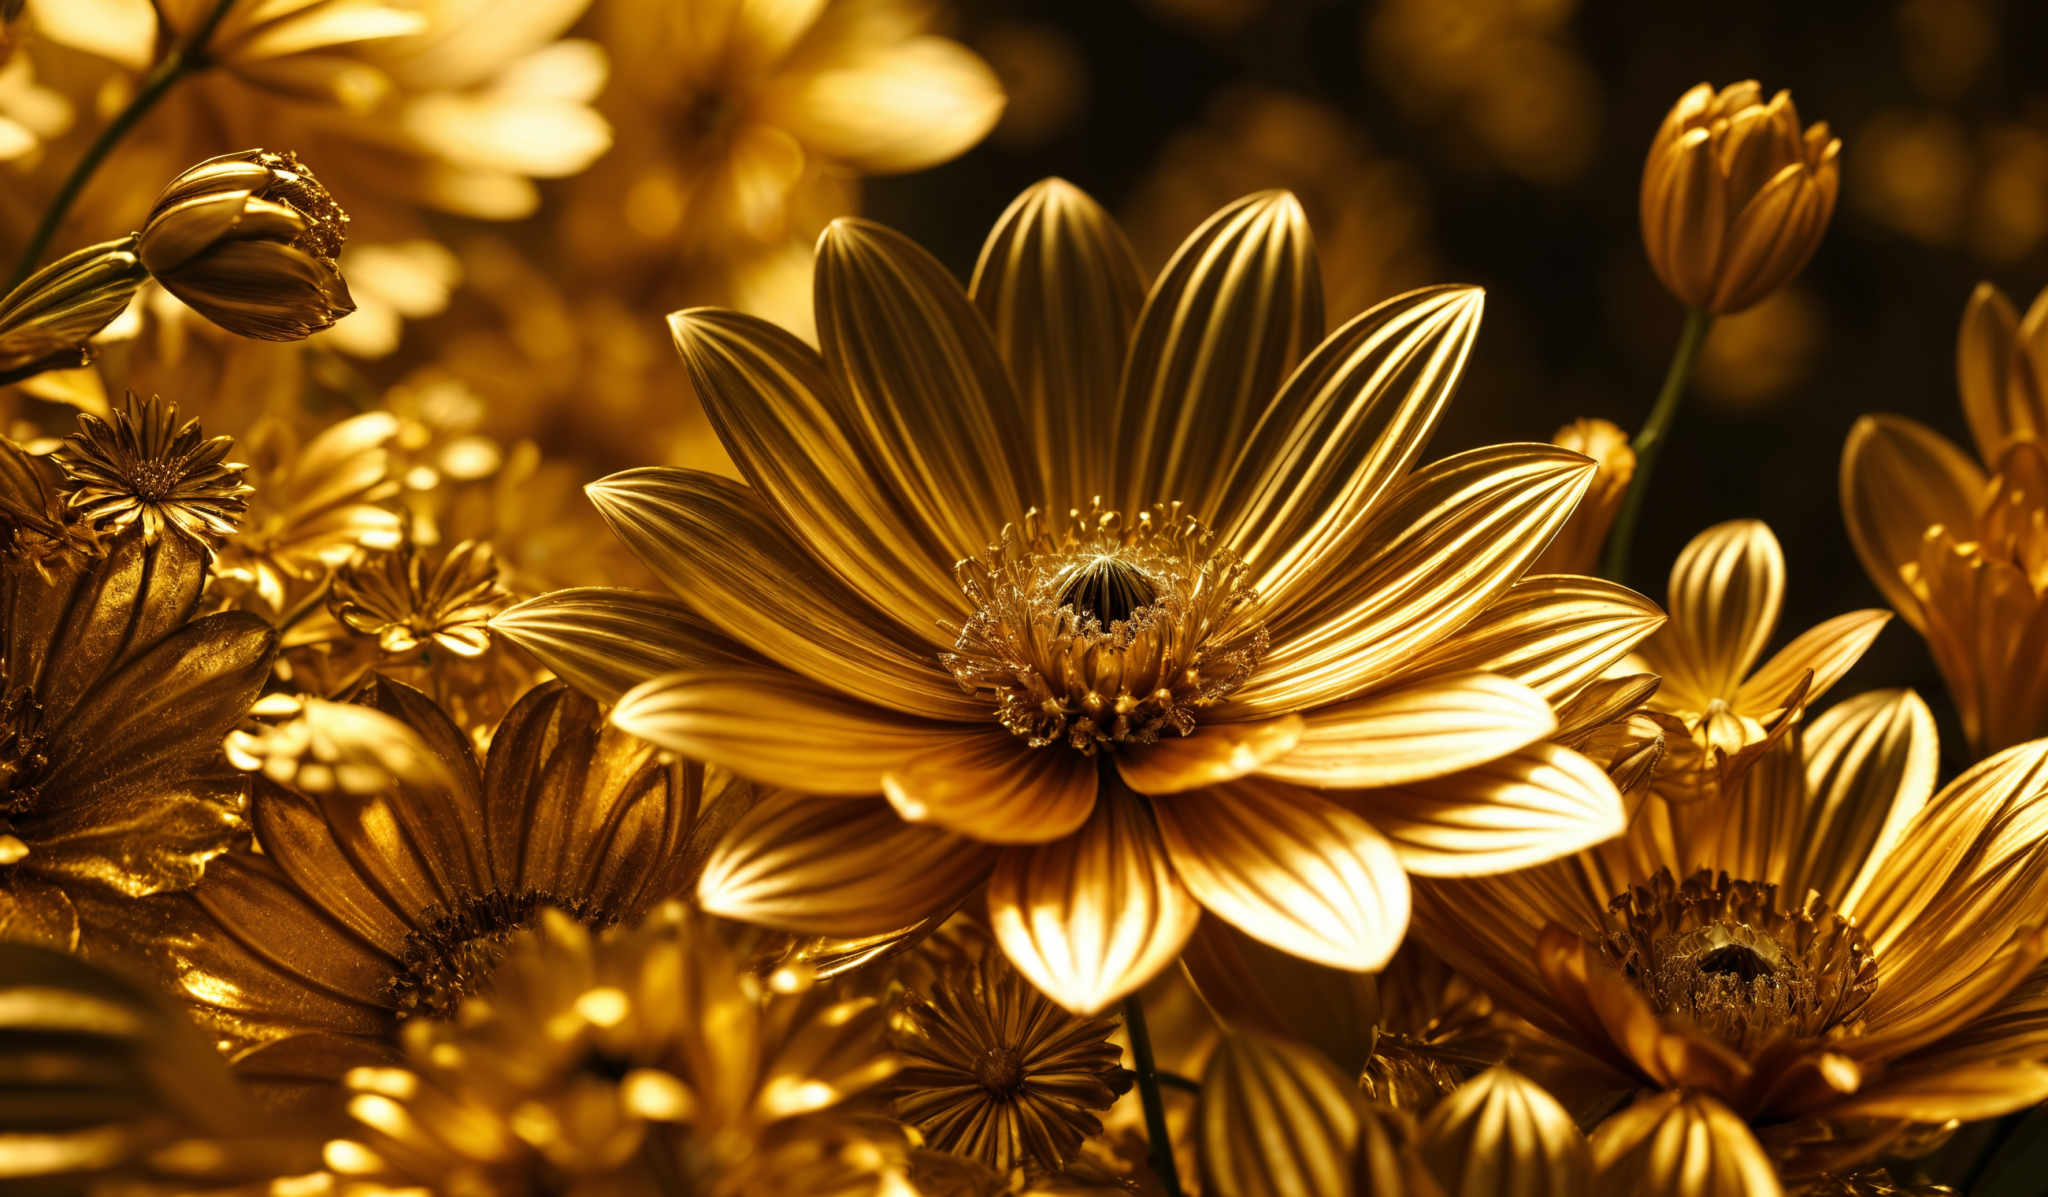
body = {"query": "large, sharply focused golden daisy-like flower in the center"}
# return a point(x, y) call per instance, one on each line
point(1252, 595)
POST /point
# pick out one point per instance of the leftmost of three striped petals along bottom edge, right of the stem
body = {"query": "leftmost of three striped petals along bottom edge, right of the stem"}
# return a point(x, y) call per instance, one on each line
point(1275, 1120)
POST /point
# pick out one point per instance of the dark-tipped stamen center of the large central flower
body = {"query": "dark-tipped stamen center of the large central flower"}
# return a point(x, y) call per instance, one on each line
point(1099, 632)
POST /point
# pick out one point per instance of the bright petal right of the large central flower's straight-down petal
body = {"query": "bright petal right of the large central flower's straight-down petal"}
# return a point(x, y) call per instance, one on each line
point(1291, 870)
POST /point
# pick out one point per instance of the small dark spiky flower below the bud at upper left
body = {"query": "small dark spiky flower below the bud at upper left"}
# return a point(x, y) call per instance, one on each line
point(151, 470)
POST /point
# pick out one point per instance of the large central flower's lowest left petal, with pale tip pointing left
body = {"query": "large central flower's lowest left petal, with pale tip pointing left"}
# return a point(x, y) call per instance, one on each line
point(826, 866)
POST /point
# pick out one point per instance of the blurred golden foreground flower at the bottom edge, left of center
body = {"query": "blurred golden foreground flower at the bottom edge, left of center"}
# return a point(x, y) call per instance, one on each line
point(634, 1061)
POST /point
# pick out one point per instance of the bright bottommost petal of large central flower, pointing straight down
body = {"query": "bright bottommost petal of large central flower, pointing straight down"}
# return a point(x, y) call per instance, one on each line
point(1097, 915)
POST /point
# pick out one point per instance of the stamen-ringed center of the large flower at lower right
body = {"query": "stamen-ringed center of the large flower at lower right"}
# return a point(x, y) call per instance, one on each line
point(1740, 964)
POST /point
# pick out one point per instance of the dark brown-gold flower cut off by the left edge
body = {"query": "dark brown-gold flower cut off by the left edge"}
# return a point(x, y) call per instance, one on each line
point(114, 704)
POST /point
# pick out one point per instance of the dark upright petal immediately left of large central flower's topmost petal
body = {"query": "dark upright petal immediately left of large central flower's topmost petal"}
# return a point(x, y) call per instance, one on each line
point(927, 399)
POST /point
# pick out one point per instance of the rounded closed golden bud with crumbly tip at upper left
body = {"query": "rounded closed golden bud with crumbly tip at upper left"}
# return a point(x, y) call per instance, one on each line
point(251, 243)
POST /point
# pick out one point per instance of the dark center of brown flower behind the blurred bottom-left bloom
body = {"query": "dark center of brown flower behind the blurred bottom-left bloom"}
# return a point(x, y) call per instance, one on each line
point(456, 948)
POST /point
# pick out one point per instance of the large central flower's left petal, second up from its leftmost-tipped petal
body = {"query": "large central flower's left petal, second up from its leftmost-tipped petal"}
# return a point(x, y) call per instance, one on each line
point(722, 552)
